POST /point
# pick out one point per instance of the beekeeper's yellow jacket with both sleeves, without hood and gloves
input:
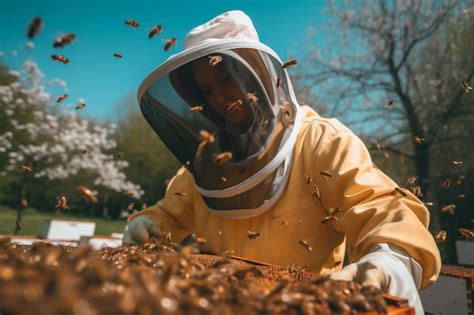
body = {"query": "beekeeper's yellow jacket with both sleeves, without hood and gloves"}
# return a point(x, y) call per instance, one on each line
point(370, 212)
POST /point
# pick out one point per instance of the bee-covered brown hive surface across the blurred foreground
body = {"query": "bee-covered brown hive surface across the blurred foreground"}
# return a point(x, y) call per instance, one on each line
point(160, 278)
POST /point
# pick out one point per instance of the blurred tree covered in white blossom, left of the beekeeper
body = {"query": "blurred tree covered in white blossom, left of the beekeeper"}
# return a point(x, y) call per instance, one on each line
point(58, 141)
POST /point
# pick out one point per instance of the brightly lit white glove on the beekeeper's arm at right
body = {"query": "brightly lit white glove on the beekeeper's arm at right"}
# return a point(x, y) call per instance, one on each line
point(388, 268)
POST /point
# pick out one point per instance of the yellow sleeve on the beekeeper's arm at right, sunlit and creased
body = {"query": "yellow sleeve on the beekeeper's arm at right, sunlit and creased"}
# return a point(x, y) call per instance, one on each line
point(370, 212)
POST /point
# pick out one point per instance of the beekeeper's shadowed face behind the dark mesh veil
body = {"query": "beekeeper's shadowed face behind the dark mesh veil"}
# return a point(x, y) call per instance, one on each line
point(220, 91)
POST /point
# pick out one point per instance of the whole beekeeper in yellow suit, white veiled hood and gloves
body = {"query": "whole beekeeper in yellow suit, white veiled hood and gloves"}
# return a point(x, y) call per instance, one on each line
point(256, 161)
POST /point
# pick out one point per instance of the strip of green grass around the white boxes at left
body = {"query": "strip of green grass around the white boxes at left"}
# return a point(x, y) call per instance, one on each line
point(32, 221)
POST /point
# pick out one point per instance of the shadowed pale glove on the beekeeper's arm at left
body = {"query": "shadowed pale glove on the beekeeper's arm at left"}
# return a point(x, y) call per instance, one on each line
point(140, 229)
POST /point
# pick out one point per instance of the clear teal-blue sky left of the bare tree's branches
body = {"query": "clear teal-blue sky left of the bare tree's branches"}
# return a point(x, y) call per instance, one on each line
point(103, 80)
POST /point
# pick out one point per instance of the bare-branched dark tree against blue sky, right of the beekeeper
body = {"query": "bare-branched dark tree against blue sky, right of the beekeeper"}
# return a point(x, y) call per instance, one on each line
point(393, 70)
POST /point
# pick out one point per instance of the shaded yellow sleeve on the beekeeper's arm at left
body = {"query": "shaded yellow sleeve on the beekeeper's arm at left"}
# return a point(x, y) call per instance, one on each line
point(175, 212)
